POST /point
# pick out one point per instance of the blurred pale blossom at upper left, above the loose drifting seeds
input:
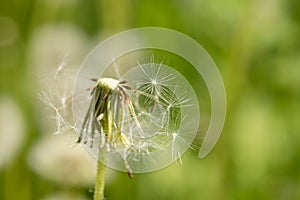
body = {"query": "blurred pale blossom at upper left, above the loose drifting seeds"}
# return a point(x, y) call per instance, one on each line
point(53, 48)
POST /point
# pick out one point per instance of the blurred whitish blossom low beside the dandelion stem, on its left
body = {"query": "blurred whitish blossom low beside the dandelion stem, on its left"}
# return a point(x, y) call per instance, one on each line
point(59, 159)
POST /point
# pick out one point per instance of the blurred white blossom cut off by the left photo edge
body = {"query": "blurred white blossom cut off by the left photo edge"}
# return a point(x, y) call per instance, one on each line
point(12, 130)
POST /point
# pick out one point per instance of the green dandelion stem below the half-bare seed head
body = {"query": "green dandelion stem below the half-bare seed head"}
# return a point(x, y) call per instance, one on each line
point(100, 181)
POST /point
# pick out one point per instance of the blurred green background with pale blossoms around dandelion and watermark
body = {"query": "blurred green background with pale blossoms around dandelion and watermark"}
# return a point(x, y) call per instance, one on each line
point(255, 44)
